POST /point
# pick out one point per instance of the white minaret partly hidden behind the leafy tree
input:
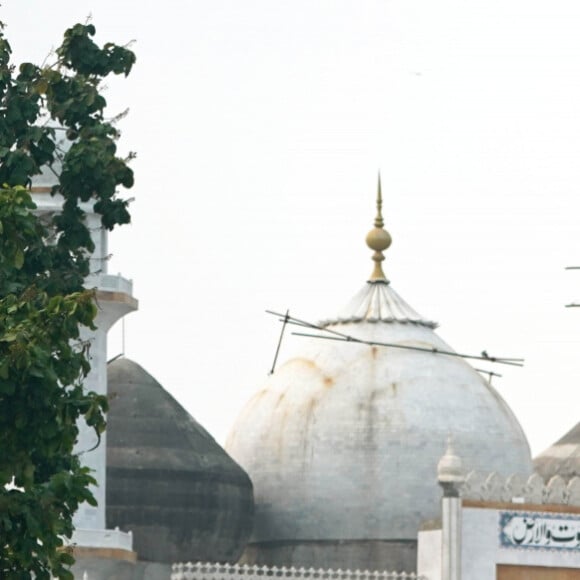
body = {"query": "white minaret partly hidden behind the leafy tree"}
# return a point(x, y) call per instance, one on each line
point(114, 300)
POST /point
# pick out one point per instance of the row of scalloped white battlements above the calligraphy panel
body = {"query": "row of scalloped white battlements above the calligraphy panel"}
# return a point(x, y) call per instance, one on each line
point(520, 489)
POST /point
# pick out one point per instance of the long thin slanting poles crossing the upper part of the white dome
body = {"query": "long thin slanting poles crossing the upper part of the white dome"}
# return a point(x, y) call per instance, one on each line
point(341, 337)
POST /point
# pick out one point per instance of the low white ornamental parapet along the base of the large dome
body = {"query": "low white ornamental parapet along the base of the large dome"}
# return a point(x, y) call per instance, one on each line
point(210, 571)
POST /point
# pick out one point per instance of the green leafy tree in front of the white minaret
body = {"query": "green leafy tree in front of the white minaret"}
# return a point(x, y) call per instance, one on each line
point(43, 305)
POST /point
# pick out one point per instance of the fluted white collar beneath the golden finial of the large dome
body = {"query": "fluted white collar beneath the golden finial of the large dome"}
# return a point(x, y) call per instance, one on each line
point(377, 301)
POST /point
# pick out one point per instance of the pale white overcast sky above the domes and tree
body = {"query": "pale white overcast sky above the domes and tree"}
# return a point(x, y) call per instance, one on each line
point(259, 128)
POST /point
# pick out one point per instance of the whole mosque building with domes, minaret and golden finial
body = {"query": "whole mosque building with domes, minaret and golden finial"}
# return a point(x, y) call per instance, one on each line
point(332, 464)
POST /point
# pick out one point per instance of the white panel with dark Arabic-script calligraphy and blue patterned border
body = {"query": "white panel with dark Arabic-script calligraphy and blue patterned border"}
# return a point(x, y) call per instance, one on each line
point(540, 530)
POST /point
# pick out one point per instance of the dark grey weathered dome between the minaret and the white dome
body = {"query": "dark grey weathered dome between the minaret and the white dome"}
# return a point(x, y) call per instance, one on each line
point(168, 481)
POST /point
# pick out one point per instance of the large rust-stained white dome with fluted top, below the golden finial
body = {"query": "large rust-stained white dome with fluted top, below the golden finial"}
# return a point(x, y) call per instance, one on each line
point(342, 441)
